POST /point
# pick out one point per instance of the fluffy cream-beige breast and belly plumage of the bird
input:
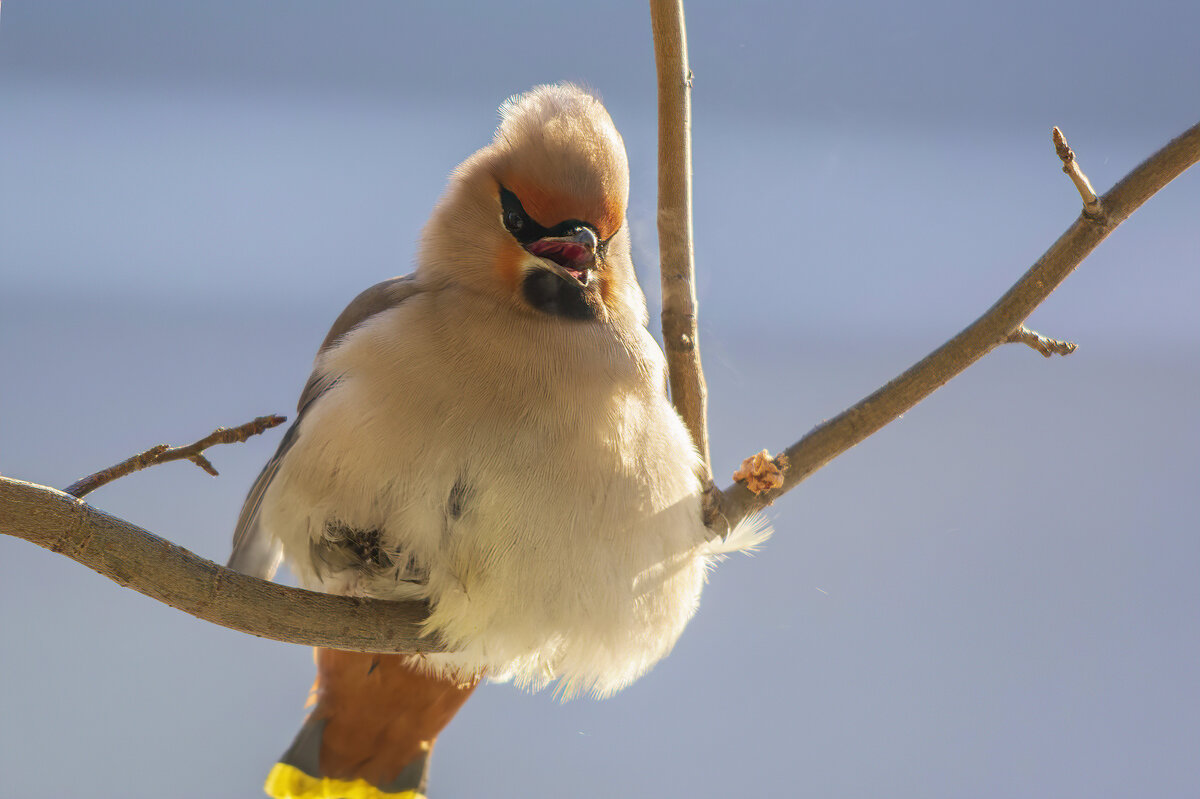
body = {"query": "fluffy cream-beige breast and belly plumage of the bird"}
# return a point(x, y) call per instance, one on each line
point(580, 554)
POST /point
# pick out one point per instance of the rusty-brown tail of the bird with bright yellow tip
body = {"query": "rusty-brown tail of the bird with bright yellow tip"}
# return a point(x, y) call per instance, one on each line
point(371, 731)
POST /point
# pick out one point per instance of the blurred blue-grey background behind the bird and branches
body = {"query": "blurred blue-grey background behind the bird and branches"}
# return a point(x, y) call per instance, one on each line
point(997, 597)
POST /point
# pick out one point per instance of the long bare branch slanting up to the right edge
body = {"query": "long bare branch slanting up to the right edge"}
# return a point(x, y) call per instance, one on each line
point(991, 331)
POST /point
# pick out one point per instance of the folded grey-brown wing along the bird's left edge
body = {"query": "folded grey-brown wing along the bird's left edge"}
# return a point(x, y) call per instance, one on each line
point(255, 551)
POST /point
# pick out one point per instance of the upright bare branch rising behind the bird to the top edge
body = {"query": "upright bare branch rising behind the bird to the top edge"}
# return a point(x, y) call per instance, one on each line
point(680, 338)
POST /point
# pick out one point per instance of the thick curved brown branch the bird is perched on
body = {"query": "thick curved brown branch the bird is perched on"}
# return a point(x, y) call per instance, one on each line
point(135, 558)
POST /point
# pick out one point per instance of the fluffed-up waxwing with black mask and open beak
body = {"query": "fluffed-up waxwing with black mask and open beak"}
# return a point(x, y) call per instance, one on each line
point(491, 434)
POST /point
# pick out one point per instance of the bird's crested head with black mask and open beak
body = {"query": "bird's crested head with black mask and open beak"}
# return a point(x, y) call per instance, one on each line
point(538, 217)
